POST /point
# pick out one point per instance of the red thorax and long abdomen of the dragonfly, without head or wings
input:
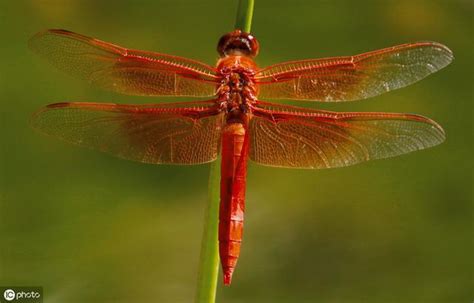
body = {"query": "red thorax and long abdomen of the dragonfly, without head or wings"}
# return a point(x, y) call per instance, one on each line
point(236, 91)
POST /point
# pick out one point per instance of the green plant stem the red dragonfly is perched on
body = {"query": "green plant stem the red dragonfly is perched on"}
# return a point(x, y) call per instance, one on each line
point(209, 258)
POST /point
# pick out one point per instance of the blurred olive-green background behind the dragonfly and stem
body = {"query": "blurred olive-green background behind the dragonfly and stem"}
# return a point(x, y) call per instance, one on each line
point(92, 228)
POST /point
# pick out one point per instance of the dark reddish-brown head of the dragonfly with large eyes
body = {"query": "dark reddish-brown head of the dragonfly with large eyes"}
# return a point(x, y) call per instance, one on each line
point(237, 43)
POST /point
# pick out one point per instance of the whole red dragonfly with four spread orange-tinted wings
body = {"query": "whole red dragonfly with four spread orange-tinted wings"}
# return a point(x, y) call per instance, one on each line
point(235, 122)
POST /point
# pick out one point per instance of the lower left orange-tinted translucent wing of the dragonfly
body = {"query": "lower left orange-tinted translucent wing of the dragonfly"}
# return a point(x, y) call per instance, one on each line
point(166, 133)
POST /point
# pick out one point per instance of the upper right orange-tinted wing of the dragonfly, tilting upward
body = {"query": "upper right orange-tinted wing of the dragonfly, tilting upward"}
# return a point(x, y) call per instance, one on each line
point(354, 77)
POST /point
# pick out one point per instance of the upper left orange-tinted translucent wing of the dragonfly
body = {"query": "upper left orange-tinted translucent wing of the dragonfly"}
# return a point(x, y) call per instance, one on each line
point(123, 70)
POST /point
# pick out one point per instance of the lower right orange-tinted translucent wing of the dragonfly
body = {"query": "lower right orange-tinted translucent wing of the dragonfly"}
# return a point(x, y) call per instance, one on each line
point(288, 136)
